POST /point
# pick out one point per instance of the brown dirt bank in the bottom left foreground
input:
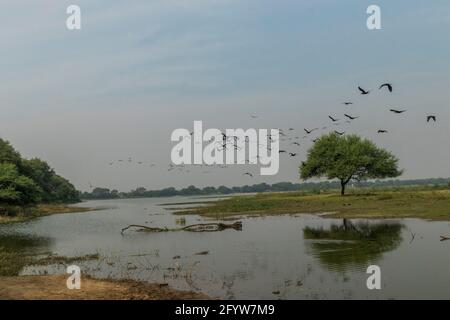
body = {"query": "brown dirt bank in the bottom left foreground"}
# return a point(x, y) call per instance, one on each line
point(54, 288)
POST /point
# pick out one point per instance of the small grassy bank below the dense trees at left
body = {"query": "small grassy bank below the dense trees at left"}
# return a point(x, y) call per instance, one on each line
point(17, 214)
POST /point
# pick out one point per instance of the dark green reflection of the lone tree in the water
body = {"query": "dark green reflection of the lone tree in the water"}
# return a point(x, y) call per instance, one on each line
point(350, 246)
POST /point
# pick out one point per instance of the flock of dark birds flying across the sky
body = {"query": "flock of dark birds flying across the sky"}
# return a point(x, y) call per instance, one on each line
point(224, 142)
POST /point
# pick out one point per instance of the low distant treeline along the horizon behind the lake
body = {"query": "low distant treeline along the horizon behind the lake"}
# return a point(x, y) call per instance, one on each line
point(105, 193)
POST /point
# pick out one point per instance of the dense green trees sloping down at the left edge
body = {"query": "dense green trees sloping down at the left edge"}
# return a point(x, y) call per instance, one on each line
point(26, 182)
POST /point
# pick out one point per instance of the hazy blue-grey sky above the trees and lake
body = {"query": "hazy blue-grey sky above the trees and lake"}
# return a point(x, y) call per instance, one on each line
point(137, 70)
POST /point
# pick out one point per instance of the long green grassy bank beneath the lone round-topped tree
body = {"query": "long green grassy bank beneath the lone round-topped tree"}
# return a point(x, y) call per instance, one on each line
point(432, 203)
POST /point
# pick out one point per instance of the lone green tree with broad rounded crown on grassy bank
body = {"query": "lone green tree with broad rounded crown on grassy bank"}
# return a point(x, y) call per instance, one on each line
point(348, 158)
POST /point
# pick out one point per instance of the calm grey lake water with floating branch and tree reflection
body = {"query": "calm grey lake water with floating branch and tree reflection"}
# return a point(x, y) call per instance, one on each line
point(273, 257)
